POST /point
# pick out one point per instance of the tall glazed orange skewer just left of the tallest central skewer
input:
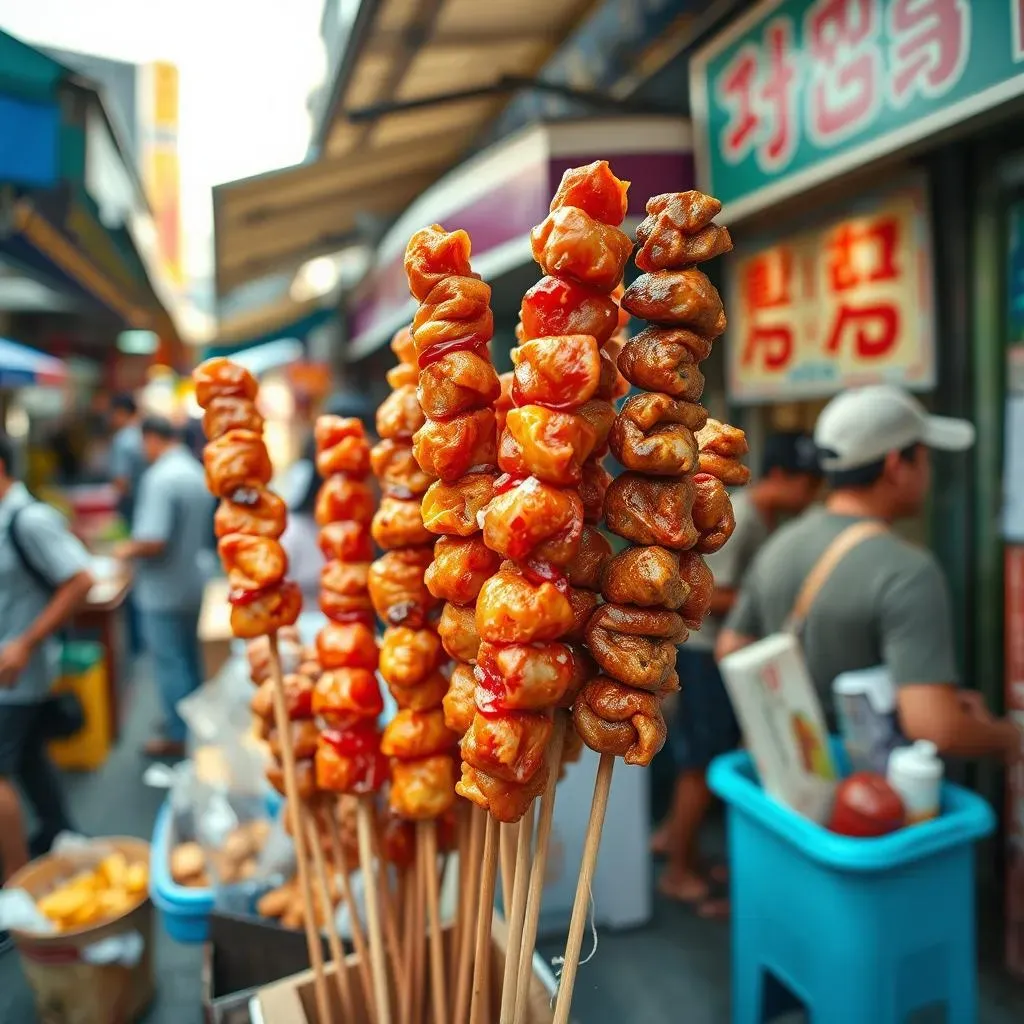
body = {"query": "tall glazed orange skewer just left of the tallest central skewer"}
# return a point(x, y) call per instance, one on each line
point(457, 444)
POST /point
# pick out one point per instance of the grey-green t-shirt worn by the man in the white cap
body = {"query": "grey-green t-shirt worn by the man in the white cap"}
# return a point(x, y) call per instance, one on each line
point(885, 604)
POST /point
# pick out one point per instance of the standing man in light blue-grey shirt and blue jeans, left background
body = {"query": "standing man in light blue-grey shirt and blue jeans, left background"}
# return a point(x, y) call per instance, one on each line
point(169, 548)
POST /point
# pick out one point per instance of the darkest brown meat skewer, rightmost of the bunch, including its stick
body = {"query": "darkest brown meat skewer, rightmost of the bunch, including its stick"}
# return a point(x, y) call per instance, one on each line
point(670, 504)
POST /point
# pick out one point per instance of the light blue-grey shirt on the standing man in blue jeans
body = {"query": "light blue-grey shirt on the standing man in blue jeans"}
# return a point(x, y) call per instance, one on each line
point(174, 506)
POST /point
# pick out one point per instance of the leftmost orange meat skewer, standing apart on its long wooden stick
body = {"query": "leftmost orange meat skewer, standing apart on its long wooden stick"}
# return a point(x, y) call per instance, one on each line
point(249, 522)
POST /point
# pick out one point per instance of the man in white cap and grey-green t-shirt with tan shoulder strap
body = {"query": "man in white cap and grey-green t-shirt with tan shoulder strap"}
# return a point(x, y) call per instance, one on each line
point(885, 602)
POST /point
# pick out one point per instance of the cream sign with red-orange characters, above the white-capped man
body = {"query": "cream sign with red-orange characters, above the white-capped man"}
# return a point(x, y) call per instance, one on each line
point(839, 306)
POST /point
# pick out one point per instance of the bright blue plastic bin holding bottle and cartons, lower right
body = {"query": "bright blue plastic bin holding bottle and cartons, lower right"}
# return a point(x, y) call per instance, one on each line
point(861, 931)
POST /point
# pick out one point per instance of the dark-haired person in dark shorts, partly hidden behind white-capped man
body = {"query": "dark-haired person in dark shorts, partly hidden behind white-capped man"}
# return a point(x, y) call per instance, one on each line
point(705, 724)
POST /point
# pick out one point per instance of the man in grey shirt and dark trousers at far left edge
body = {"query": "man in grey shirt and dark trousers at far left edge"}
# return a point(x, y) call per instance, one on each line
point(45, 580)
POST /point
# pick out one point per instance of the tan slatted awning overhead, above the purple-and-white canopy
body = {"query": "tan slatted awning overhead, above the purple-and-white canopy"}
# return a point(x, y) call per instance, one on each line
point(458, 61)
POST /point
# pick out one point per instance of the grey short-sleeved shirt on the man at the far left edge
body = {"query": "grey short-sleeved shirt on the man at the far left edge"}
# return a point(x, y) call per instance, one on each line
point(58, 556)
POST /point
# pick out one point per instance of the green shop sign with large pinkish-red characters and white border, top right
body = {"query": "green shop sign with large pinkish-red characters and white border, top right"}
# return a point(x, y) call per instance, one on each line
point(800, 92)
